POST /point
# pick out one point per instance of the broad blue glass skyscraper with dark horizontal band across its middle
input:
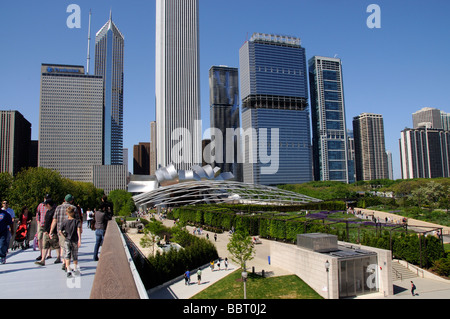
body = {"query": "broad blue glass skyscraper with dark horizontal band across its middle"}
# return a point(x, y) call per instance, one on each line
point(274, 93)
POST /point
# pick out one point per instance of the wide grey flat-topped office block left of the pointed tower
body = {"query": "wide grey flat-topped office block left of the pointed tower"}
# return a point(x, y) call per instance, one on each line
point(70, 121)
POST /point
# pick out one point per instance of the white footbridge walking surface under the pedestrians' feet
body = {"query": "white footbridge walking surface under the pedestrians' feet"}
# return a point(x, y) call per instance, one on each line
point(21, 279)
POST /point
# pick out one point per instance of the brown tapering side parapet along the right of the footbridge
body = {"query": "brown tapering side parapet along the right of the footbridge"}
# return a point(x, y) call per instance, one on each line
point(114, 278)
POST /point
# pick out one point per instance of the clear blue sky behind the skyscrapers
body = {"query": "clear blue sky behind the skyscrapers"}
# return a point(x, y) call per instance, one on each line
point(394, 71)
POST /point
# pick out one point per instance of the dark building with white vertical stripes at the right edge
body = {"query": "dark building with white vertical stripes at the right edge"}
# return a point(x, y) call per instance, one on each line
point(425, 153)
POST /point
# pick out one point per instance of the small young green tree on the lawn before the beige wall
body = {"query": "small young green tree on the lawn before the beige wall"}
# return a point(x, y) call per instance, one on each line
point(241, 248)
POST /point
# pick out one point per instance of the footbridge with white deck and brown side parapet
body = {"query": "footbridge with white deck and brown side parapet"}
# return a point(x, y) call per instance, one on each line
point(112, 277)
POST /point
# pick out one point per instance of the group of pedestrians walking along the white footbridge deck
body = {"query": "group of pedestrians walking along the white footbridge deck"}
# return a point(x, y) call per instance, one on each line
point(59, 228)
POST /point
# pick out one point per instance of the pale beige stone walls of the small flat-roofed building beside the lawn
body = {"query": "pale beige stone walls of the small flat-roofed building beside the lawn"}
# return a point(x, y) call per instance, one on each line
point(310, 267)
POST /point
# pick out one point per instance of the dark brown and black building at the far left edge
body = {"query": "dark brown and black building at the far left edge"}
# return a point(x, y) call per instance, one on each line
point(15, 142)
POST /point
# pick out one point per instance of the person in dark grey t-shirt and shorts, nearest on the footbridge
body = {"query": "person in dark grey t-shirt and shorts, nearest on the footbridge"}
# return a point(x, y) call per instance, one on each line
point(71, 229)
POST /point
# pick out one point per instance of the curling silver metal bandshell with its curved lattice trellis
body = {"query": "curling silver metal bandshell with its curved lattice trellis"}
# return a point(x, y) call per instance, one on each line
point(207, 185)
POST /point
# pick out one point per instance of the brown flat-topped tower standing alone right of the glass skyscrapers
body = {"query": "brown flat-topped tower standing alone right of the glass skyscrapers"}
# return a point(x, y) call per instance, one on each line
point(370, 151)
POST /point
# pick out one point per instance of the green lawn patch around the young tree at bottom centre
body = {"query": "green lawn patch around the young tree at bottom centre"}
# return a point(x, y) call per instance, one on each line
point(284, 287)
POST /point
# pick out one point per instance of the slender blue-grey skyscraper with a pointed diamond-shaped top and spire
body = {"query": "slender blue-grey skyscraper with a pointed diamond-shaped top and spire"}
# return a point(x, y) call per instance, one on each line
point(109, 56)
